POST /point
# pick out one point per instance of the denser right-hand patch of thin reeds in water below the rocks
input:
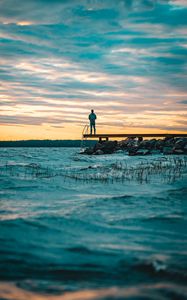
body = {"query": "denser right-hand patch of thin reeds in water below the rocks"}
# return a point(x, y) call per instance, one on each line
point(165, 169)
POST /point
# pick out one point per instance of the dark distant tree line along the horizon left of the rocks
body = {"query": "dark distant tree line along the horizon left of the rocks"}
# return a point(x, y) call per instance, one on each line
point(47, 143)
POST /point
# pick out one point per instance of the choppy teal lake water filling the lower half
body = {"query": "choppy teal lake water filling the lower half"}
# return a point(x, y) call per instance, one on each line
point(100, 227)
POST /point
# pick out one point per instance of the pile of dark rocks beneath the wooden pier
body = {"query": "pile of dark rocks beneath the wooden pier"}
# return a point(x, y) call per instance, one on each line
point(134, 146)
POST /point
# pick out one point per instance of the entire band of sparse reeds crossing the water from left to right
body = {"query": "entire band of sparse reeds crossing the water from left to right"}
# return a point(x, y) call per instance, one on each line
point(163, 169)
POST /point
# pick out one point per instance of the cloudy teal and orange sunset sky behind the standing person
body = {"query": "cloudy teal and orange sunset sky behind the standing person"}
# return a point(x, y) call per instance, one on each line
point(126, 59)
